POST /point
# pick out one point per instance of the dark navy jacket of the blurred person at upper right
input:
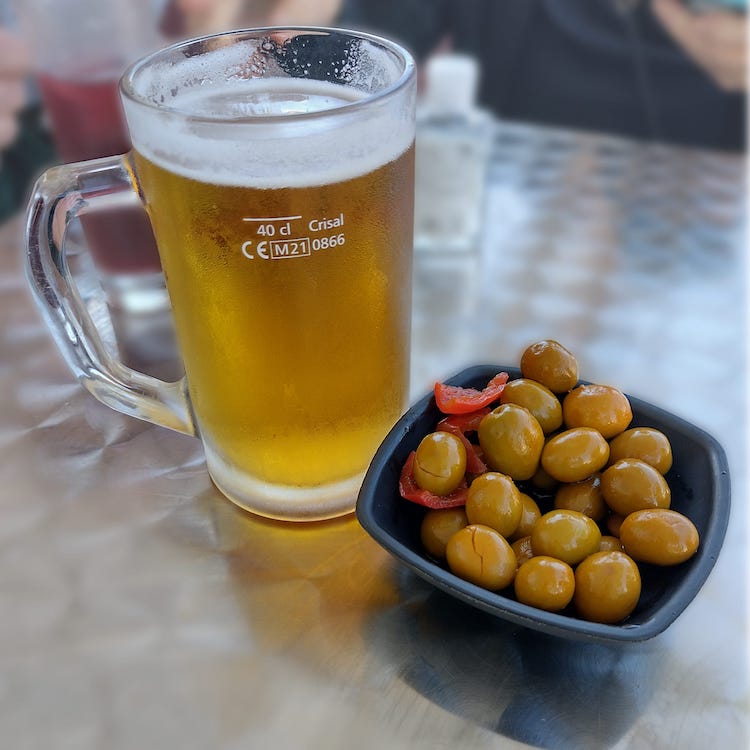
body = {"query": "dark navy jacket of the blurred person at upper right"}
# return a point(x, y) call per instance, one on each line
point(603, 65)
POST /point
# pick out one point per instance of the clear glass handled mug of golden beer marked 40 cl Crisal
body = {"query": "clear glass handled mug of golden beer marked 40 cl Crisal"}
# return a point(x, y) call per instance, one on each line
point(276, 166)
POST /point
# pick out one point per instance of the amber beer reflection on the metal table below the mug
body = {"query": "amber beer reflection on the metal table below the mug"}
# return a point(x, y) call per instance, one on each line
point(307, 590)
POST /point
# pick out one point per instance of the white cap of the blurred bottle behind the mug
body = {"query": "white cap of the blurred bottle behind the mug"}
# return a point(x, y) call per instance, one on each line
point(451, 81)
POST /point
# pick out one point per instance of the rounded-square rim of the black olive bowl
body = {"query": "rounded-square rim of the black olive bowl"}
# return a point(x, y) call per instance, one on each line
point(510, 609)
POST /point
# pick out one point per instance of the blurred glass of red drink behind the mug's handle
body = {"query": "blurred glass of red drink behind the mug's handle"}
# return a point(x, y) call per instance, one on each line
point(80, 50)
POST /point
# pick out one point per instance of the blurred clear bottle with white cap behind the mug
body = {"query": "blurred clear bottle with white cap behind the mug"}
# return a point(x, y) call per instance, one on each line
point(452, 150)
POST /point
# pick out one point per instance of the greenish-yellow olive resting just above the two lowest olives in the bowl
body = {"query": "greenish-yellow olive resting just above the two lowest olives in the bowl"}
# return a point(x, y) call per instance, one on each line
point(565, 534)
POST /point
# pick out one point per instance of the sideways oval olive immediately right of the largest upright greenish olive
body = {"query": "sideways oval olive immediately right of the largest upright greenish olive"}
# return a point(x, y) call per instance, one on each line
point(575, 454)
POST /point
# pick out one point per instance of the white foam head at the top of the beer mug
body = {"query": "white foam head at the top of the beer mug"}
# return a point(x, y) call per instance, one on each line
point(232, 115)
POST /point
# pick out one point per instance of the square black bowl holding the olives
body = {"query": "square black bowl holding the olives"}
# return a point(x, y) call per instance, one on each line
point(699, 480)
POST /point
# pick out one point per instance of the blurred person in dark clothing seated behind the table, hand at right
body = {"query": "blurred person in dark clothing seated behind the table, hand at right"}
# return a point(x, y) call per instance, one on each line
point(647, 69)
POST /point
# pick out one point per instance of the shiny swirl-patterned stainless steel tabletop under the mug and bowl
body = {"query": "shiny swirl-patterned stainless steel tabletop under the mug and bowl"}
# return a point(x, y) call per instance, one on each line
point(140, 609)
